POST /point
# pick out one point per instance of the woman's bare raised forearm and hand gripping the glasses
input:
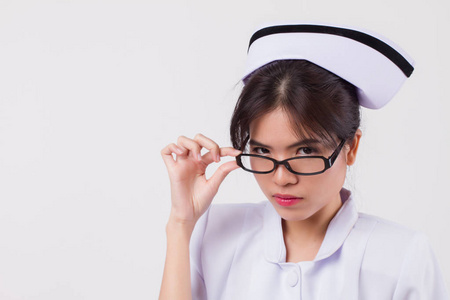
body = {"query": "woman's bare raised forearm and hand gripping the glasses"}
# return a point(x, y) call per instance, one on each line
point(191, 195)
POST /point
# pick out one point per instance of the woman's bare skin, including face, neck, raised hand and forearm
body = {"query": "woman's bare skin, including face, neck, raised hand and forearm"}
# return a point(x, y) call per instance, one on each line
point(192, 193)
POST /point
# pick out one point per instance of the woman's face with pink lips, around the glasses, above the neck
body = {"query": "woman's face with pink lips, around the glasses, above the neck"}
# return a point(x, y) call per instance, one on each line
point(296, 197)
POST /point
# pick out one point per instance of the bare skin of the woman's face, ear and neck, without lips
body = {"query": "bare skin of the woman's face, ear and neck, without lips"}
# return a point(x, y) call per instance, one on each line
point(305, 223)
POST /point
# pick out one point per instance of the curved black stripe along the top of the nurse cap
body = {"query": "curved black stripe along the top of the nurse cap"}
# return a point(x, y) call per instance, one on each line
point(358, 36)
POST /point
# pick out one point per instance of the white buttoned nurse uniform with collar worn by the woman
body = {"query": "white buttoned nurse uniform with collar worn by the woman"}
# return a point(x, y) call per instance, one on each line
point(238, 252)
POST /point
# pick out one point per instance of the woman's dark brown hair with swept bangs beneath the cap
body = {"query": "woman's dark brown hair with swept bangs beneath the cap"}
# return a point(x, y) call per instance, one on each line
point(318, 102)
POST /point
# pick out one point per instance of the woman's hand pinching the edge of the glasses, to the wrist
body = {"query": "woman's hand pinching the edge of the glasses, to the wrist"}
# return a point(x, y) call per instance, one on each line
point(191, 192)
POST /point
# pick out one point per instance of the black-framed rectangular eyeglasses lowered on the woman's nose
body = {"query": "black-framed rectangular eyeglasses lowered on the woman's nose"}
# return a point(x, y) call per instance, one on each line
point(302, 165)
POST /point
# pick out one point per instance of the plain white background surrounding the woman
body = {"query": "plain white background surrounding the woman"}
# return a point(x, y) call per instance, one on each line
point(90, 91)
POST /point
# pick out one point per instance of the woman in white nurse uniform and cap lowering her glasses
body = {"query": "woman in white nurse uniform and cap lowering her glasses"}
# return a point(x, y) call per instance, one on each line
point(296, 128)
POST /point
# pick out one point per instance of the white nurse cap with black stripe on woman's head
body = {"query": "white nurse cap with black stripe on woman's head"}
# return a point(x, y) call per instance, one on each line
point(376, 66)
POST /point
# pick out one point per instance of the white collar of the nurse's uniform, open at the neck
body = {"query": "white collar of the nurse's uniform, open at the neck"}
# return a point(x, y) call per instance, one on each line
point(337, 231)
